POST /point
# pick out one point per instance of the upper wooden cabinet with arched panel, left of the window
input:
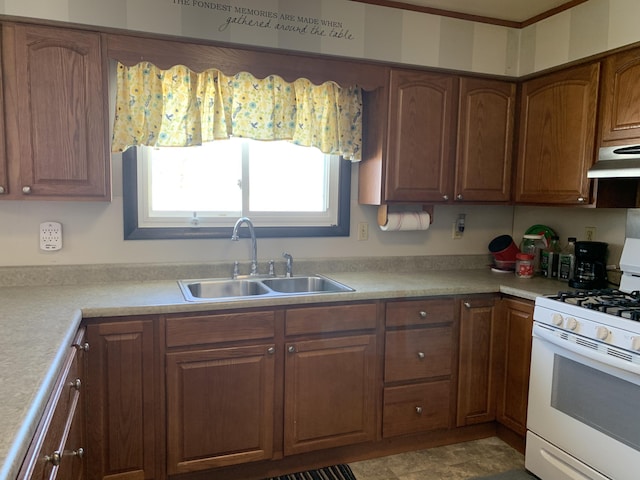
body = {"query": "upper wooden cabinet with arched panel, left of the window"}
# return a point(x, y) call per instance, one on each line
point(55, 114)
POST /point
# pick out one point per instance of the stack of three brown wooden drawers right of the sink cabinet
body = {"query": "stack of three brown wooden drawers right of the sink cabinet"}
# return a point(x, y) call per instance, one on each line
point(418, 366)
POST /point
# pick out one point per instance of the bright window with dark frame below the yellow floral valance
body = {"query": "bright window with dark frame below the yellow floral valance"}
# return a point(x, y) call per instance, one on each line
point(199, 192)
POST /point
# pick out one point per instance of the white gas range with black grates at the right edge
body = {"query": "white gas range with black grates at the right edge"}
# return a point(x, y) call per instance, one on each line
point(584, 395)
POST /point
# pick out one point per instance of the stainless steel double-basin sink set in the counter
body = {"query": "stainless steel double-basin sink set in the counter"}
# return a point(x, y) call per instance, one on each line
point(244, 288)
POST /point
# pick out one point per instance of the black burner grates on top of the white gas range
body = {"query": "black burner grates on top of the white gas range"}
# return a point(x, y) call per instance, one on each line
point(611, 301)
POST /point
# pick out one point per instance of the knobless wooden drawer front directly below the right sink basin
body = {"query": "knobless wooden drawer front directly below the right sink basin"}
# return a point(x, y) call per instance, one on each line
point(337, 318)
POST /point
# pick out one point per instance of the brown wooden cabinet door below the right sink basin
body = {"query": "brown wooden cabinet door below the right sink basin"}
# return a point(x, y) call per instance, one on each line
point(330, 393)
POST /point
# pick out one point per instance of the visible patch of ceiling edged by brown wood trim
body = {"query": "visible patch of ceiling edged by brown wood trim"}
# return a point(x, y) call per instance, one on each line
point(512, 11)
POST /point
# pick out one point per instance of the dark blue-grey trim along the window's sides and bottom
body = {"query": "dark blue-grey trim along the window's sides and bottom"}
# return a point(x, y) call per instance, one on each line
point(133, 232)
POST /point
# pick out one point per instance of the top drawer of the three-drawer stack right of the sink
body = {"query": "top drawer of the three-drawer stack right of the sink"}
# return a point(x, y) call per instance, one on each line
point(420, 312)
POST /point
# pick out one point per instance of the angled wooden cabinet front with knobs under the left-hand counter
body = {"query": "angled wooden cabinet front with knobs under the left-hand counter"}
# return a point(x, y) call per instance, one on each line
point(50, 445)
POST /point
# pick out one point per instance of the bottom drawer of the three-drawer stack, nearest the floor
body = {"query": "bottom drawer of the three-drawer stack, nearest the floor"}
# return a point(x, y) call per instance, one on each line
point(416, 408)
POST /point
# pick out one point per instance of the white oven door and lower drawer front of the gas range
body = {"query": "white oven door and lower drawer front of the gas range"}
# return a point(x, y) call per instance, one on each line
point(584, 409)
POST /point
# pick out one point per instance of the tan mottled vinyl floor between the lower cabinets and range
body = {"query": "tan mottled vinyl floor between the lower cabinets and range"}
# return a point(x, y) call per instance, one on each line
point(461, 461)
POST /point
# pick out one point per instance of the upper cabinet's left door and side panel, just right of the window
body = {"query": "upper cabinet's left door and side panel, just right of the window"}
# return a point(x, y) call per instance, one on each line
point(409, 139)
